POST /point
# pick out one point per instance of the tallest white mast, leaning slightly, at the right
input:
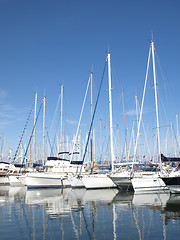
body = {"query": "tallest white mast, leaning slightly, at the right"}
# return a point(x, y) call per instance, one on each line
point(156, 102)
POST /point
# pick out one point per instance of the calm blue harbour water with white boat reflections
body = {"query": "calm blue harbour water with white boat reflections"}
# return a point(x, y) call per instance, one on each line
point(87, 214)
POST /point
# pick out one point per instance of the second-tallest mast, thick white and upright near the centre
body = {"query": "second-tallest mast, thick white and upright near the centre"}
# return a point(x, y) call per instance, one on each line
point(110, 112)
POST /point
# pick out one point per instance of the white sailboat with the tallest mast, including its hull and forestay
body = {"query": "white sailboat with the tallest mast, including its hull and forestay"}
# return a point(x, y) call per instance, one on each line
point(128, 179)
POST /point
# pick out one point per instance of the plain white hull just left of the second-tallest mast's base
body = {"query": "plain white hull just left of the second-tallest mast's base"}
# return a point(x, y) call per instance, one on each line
point(97, 181)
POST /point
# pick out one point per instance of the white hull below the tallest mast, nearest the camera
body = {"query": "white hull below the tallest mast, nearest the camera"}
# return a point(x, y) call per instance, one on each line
point(148, 184)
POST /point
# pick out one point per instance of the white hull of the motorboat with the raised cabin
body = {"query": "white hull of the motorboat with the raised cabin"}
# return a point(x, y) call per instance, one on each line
point(44, 180)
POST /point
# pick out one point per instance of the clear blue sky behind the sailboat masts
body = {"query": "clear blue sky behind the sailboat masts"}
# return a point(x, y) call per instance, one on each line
point(44, 44)
